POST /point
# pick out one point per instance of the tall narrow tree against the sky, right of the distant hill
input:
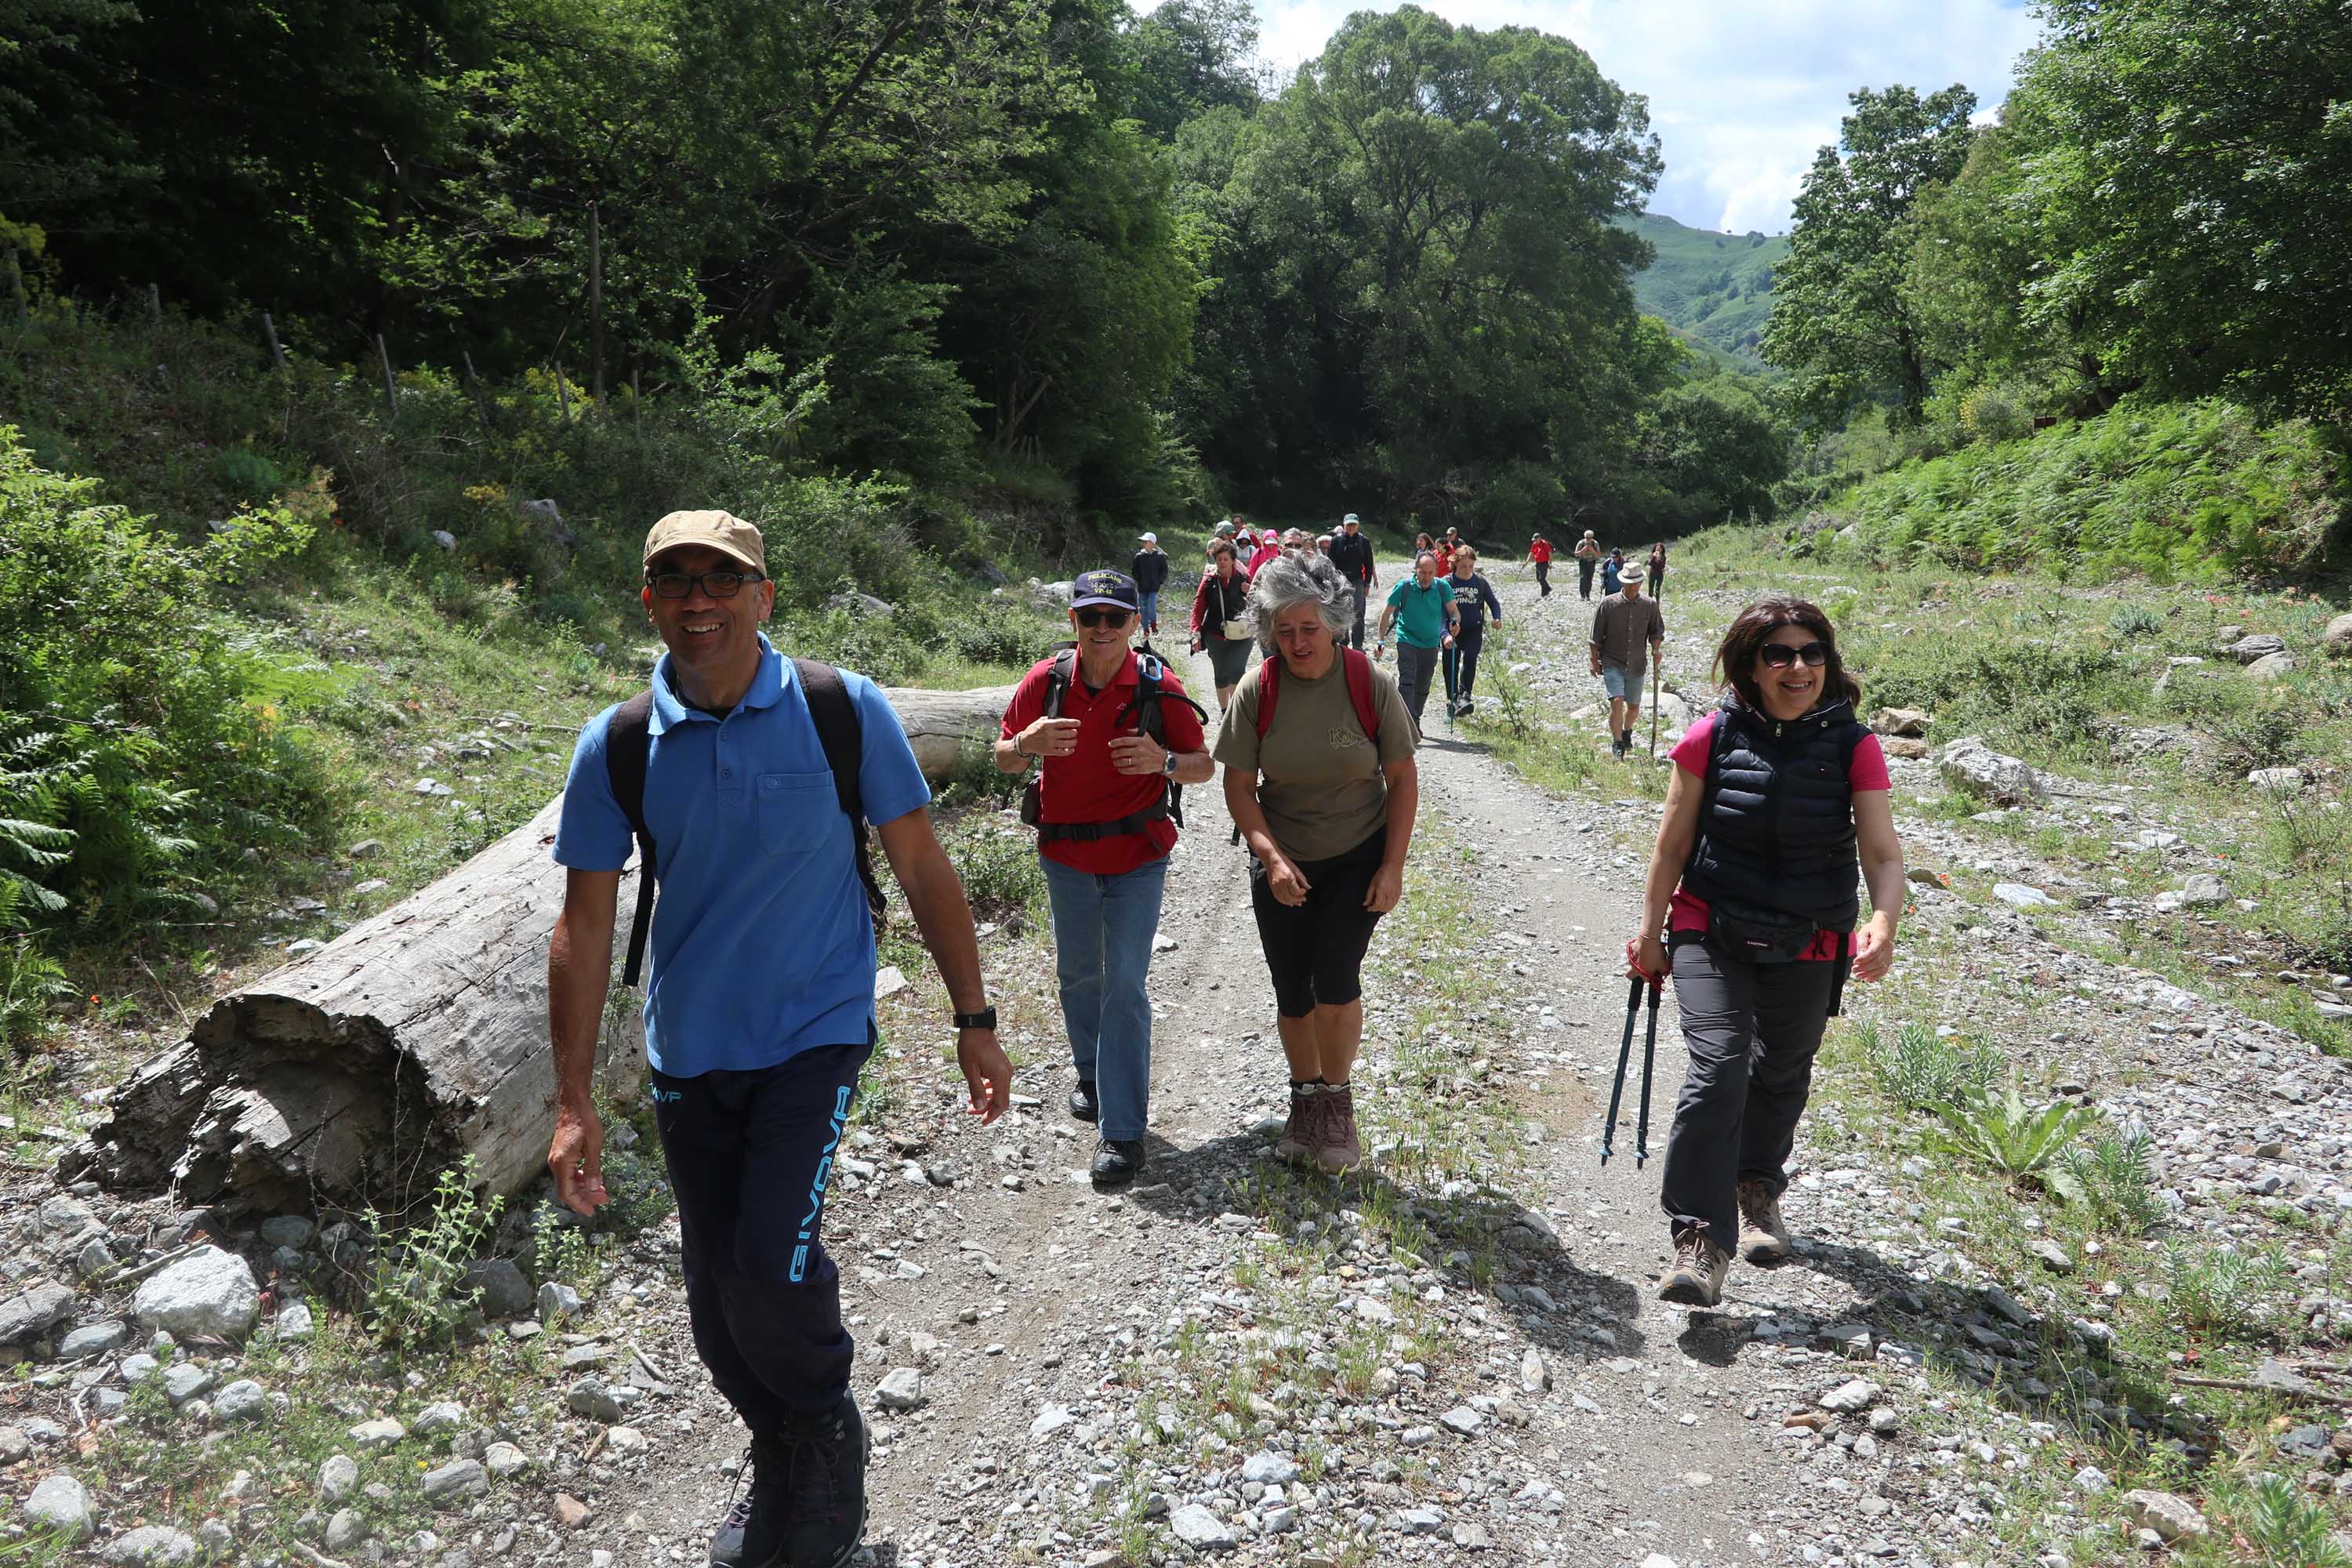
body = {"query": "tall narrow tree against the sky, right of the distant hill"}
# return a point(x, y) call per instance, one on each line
point(1840, 316)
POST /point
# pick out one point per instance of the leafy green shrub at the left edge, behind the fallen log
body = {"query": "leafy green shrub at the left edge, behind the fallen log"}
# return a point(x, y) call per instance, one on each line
point(135, 751)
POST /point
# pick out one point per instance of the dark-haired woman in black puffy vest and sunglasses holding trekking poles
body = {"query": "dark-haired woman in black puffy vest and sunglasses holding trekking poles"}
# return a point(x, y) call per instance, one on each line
point(1777, 805)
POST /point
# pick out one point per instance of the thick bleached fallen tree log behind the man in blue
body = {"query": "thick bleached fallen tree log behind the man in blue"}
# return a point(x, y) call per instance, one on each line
point(408, 1045)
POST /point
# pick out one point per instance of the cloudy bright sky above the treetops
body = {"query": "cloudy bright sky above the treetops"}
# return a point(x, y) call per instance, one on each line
point(1742, 93)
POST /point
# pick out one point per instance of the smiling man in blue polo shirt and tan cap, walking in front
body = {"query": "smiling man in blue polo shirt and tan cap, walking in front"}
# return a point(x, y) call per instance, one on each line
point(747, 782)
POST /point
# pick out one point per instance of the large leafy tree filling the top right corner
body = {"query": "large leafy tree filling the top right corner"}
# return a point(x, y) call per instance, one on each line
point(2191, 194)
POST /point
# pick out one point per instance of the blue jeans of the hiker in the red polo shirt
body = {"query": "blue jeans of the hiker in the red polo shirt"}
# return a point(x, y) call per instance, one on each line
point(1104, 934)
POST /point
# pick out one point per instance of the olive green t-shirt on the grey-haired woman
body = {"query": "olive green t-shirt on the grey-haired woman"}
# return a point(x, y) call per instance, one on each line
point(1321, 782)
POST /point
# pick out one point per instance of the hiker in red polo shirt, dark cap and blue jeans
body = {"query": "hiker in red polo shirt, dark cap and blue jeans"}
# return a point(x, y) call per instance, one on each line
point(1104, 838)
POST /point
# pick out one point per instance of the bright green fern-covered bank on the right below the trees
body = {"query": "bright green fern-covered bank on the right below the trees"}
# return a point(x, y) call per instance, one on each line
point(2186, 490)
